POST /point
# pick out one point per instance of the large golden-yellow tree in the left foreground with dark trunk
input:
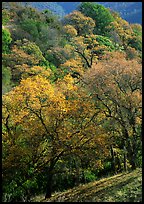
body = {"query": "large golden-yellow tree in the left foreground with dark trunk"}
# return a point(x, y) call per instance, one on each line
point(43, 123)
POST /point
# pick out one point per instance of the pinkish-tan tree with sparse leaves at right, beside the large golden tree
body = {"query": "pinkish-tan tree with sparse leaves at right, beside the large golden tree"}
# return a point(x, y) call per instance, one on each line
point(116, 87)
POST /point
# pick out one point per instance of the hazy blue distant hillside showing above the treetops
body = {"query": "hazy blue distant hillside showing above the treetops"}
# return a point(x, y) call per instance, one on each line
point(130, 11)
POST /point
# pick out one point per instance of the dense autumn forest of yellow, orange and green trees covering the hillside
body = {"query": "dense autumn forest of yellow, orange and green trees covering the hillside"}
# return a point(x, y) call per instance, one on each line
point(71, 98)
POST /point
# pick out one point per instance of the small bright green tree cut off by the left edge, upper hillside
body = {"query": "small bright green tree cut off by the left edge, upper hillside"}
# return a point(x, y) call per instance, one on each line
point(6, 41)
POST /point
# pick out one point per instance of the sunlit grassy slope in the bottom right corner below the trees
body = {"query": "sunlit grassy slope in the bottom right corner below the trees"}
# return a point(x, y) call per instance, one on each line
point(124, 187)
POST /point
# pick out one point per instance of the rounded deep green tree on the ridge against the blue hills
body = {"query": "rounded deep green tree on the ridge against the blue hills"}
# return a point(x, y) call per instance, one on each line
point(99, 14)
